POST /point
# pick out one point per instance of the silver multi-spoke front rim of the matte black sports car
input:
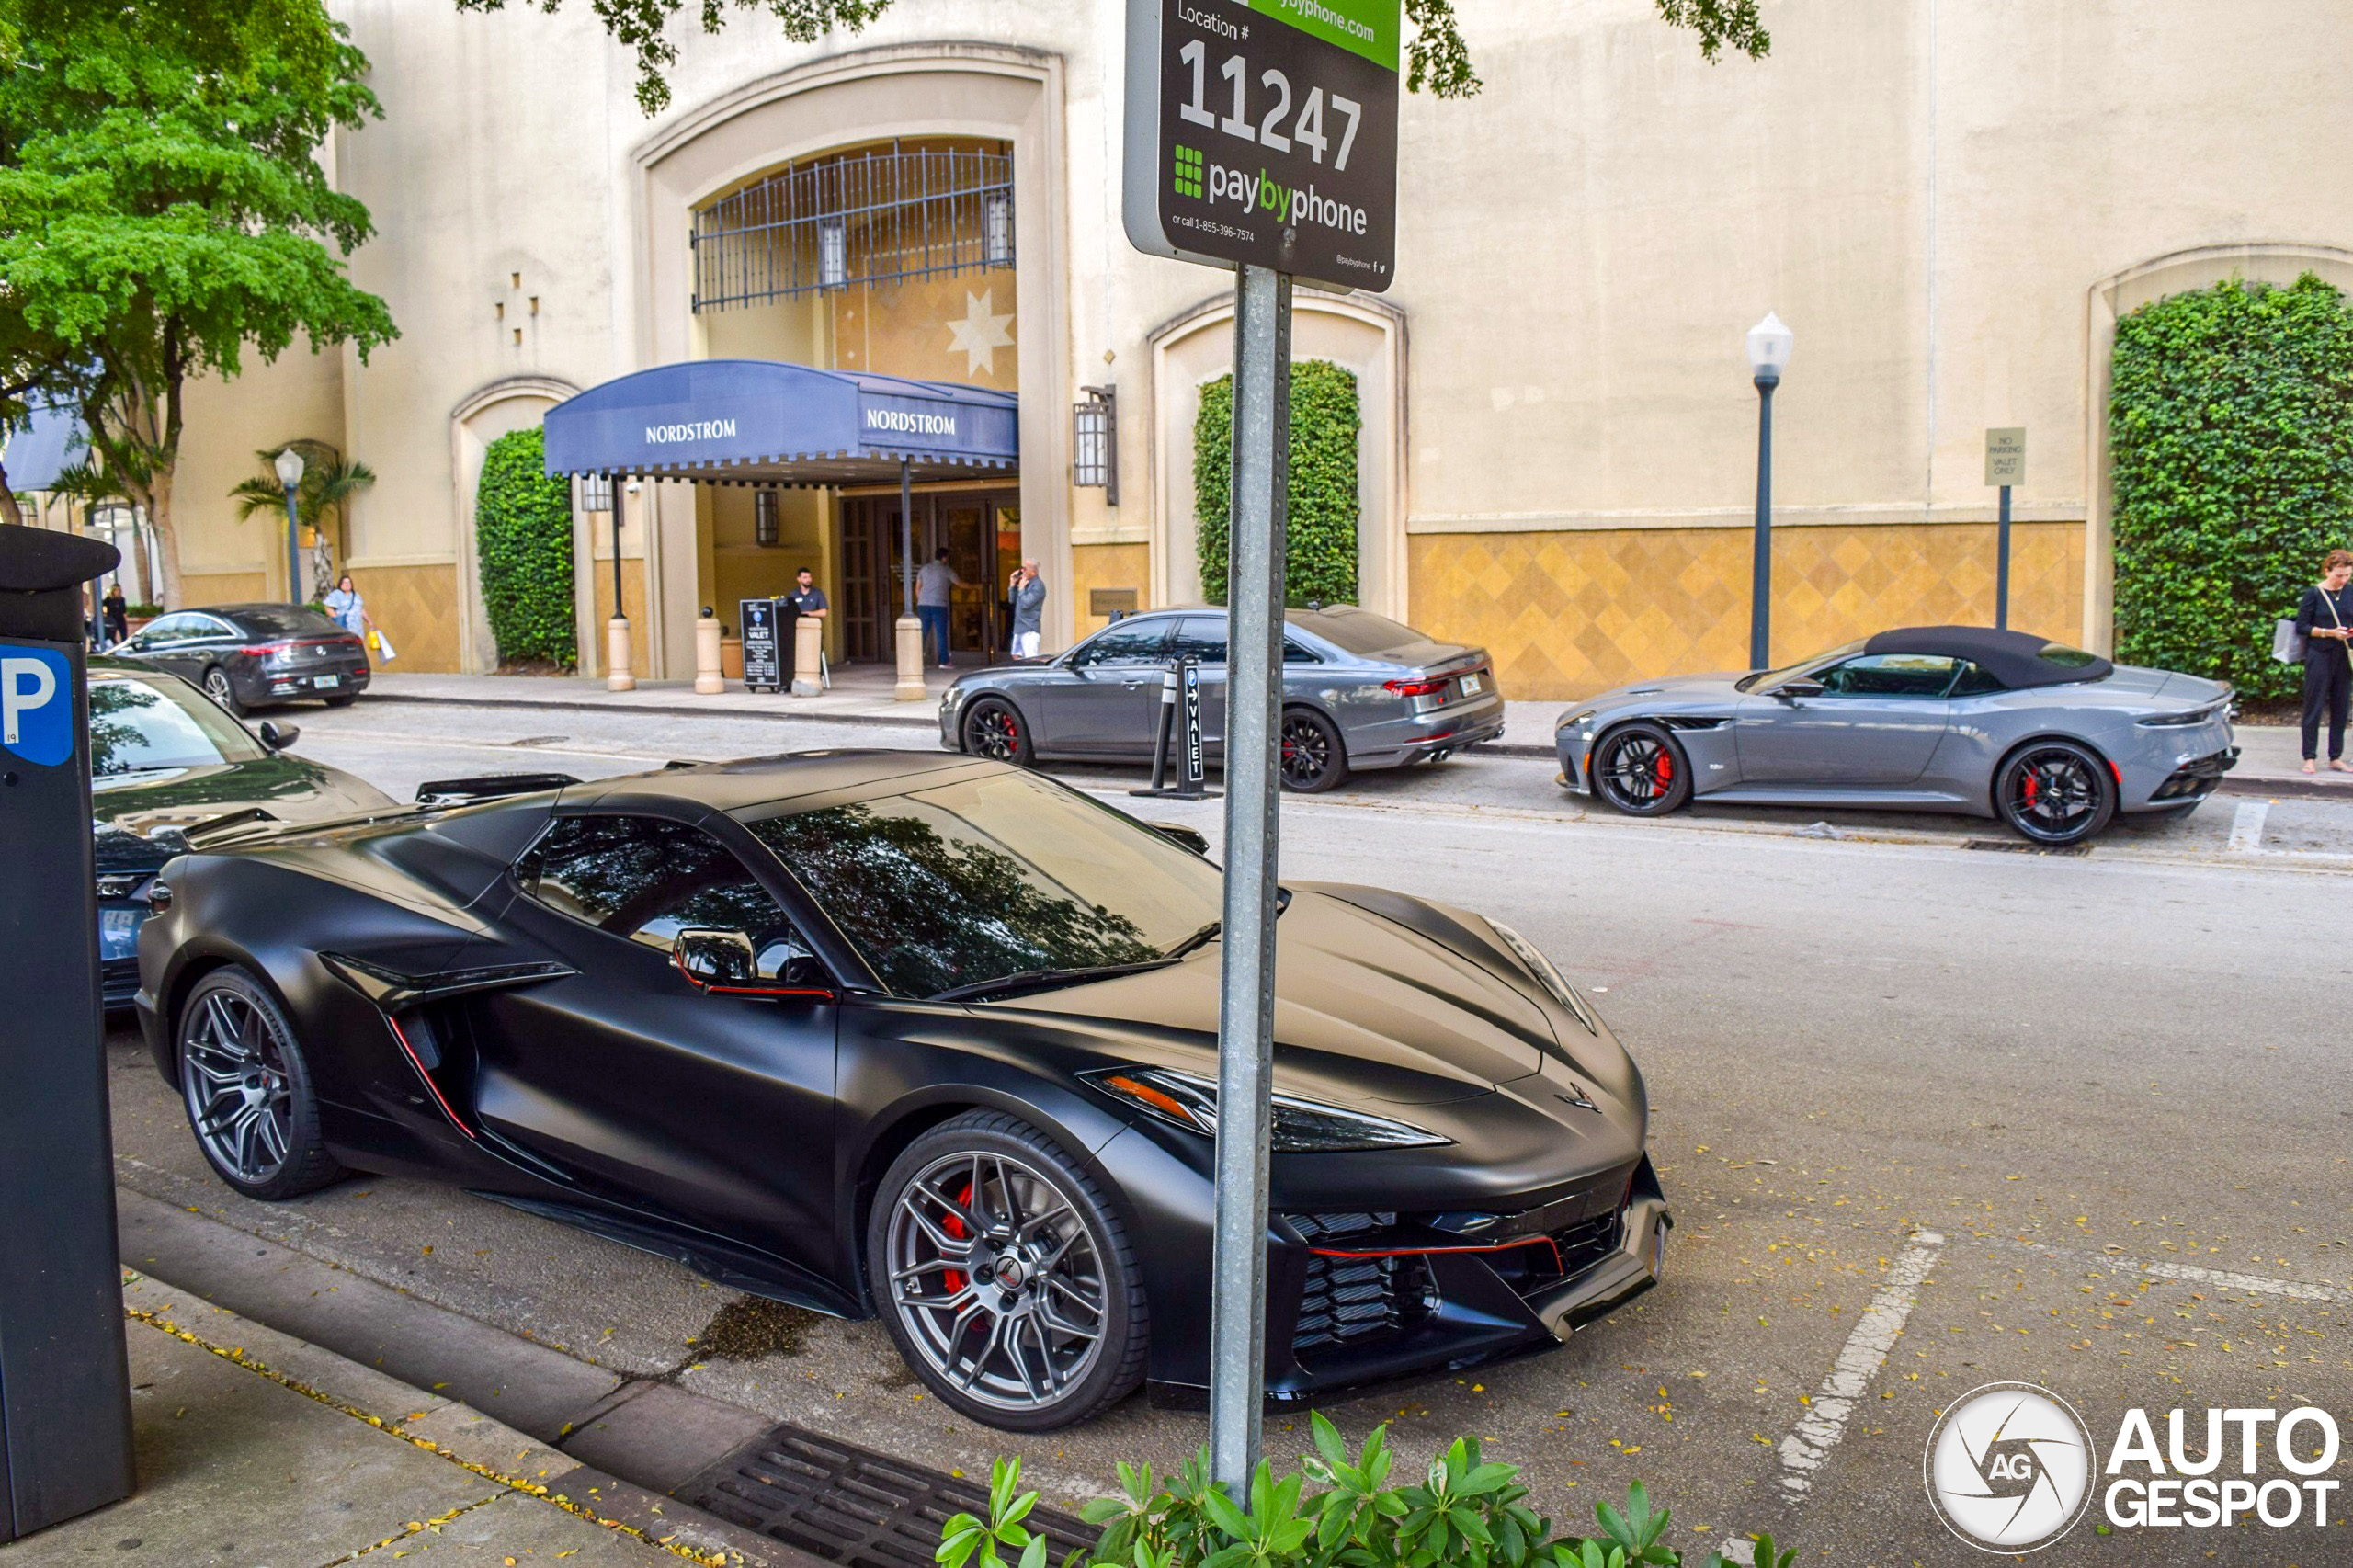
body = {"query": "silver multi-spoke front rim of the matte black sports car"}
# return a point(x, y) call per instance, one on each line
point(996, 1280)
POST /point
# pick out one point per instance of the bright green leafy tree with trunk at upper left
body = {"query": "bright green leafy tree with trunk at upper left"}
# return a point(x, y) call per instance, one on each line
point(164, 213)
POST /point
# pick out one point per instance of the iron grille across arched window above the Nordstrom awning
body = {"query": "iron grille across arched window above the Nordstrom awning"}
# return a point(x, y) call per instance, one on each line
point(879, 215)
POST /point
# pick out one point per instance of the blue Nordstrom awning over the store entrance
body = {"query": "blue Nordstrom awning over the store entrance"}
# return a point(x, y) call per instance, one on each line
point(764, 423)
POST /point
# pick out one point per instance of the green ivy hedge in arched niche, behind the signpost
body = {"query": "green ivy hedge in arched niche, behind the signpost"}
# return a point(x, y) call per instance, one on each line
point(1324, 507)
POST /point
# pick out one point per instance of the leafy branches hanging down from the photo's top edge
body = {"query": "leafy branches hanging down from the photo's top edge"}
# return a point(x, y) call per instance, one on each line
point(1437, 58)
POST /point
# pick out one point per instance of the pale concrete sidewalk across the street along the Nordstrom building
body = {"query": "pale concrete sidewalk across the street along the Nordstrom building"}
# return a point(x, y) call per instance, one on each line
point(2269, 755)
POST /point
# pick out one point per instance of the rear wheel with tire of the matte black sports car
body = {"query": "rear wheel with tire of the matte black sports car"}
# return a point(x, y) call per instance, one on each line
point(248, 1089)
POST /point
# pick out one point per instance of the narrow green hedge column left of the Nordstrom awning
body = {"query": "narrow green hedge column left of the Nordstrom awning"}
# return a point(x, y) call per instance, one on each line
point(524, 540)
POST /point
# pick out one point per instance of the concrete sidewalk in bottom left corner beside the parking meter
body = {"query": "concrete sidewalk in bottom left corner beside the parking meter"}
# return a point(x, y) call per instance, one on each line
point(262, 1449)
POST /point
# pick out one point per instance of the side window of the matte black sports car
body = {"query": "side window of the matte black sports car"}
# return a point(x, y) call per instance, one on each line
point(651, 879)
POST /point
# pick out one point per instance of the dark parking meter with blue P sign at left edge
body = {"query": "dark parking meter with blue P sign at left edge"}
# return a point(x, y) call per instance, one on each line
point(65, 1386)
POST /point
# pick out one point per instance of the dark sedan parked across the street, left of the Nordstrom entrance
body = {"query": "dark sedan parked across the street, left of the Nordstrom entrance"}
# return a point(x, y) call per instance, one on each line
point(255, 656)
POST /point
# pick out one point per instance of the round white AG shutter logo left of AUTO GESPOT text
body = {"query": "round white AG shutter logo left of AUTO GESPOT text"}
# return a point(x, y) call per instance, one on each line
point(2011, 1468)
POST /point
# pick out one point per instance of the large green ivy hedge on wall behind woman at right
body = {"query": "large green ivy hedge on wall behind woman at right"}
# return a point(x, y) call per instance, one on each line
point(2232, 446)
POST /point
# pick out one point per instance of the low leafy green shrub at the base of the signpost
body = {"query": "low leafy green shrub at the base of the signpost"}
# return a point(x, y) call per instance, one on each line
point(1462, 1513)
